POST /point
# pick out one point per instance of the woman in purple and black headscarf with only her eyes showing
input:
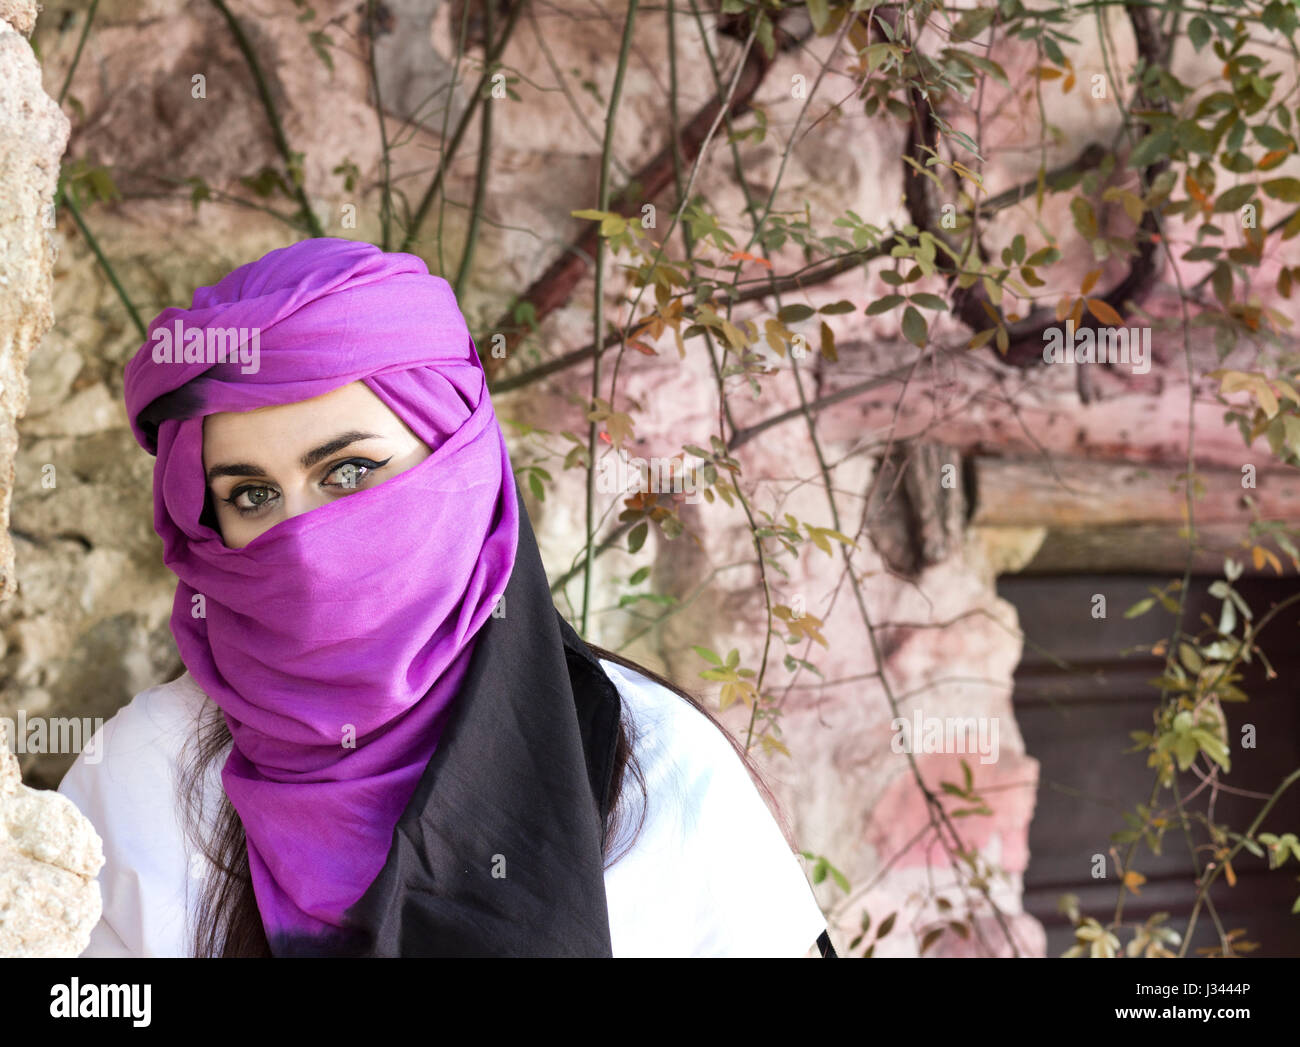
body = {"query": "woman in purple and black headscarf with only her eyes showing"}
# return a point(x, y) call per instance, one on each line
point(422, 758)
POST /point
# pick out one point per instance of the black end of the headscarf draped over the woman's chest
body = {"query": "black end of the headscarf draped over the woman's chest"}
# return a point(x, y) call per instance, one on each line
point(499, 853)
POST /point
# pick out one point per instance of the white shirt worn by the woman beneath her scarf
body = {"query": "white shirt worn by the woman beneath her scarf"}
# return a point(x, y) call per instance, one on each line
point(710, 873)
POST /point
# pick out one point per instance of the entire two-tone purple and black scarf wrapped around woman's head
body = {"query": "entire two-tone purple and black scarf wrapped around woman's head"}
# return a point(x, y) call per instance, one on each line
point(349, 647)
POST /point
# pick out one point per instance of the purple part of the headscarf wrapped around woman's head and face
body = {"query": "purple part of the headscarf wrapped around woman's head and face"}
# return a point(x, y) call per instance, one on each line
point(335, 642)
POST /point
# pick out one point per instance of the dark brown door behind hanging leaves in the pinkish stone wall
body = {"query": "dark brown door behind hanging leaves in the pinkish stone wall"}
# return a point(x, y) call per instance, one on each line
point(1077, 721)
